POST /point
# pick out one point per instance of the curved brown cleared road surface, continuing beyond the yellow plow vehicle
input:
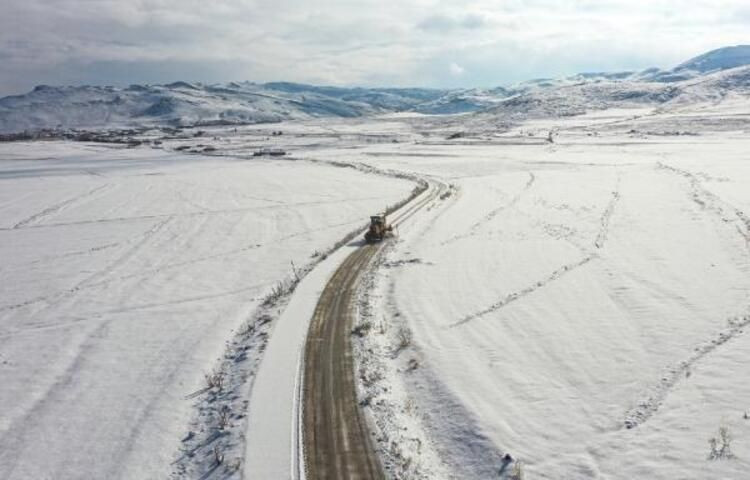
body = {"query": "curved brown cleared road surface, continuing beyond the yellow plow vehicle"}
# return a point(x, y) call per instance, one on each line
point(336, 441)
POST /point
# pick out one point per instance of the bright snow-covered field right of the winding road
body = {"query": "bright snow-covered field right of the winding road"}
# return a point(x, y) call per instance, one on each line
point(582, 305)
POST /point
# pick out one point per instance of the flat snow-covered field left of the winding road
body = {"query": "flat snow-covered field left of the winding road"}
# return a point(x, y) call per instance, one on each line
point(124, 272)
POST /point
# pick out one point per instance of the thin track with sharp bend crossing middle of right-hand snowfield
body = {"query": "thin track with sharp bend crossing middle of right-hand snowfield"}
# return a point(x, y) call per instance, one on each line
point(599, 242)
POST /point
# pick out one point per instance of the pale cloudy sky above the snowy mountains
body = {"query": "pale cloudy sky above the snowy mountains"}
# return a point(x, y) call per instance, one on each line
point(356, 42)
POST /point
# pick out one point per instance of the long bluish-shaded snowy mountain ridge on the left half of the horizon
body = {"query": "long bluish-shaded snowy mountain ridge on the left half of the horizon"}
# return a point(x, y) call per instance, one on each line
point(183, 103)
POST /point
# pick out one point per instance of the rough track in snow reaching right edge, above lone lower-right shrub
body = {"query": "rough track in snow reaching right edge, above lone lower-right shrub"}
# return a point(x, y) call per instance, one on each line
point(654, 398)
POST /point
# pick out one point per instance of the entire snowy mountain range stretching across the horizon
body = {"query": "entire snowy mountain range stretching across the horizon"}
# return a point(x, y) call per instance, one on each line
point(707, 77)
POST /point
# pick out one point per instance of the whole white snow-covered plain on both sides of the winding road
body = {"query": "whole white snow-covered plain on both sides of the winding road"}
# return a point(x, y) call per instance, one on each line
point(582, 305)
